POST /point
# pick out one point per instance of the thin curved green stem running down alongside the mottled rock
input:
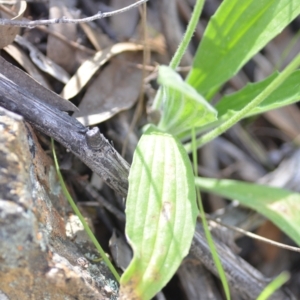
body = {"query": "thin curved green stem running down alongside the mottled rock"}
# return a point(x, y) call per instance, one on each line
point(79, 215)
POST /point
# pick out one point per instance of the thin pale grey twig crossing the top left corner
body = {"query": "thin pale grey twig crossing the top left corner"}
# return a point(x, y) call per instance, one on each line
point(99, 15)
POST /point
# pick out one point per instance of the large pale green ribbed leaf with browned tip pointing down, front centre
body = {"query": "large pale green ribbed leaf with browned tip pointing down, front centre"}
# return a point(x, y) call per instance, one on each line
point(161, 213)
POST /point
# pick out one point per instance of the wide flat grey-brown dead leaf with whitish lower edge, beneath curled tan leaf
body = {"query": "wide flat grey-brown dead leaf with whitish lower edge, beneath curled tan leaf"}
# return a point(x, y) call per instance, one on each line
point(115, 89)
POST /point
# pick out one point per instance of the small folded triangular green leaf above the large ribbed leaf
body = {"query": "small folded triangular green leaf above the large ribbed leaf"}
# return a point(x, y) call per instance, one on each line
point(183, 108)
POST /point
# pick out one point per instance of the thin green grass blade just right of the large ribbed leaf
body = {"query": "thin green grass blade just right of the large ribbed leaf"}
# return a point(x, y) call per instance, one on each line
point(209, 238)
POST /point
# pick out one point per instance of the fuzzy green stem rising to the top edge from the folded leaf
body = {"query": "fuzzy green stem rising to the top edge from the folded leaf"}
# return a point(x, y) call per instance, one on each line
point(182, 47)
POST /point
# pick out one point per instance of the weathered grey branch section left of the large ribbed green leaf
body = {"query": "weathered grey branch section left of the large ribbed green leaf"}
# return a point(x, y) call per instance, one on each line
point(105, 161)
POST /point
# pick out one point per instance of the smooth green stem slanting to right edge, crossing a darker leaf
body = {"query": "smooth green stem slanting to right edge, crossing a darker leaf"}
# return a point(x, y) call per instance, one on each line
point(248, 108)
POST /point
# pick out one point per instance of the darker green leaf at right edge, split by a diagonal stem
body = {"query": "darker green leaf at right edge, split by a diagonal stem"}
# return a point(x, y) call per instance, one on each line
point(287, 93)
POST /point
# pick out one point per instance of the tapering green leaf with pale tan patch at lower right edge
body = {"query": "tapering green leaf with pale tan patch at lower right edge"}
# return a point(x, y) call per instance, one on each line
point(280, 206)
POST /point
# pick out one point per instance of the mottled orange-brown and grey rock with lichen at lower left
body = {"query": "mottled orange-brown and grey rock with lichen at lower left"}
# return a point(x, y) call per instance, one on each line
point(37, 258)
